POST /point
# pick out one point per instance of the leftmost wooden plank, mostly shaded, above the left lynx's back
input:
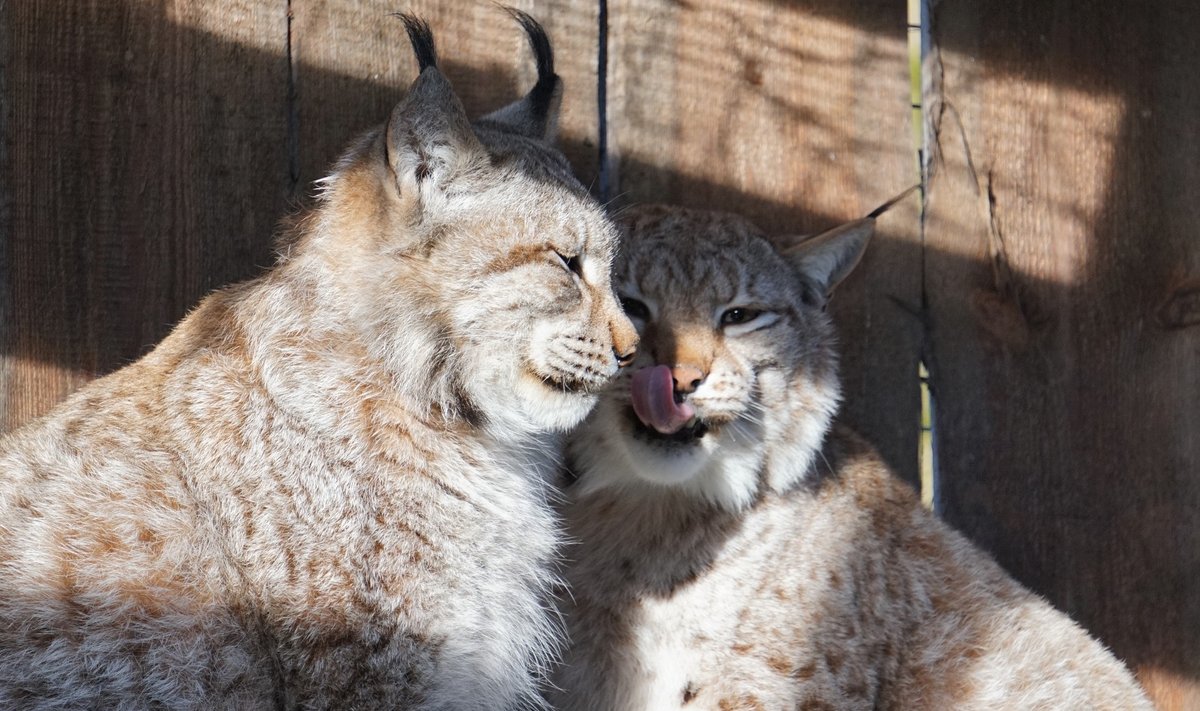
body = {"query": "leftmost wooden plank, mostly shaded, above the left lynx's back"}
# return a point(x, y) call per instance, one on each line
point(146, 165)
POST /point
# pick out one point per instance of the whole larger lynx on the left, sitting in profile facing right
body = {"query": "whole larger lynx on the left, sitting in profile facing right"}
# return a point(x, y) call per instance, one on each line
point(328, 487)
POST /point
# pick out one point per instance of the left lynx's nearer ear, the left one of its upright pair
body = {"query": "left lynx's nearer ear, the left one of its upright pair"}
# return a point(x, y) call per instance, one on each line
point(429, 139)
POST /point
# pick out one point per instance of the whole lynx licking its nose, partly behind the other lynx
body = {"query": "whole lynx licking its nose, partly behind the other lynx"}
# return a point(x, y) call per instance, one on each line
point(736, 551)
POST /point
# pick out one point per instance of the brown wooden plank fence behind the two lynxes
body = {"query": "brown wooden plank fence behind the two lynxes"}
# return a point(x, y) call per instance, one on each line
point(1052, 284)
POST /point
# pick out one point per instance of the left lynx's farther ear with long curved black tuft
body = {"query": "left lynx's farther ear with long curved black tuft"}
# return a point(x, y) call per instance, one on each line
point(536, 116)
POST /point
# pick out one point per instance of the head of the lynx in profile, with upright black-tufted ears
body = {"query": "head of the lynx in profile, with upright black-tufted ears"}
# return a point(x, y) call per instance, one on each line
point(469, 261)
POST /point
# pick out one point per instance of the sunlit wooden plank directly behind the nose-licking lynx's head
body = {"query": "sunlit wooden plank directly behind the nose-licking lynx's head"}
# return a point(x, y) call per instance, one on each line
point(795, 115)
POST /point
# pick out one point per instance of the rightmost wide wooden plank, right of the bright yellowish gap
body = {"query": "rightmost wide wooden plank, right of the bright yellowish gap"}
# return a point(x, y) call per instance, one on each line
point(1065, 291)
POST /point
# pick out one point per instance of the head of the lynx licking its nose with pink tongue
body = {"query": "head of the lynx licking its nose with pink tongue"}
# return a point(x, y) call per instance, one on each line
point(736, 380)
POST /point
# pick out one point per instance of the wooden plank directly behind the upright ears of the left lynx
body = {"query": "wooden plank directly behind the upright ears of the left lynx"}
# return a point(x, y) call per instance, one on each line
point(352, 64)
